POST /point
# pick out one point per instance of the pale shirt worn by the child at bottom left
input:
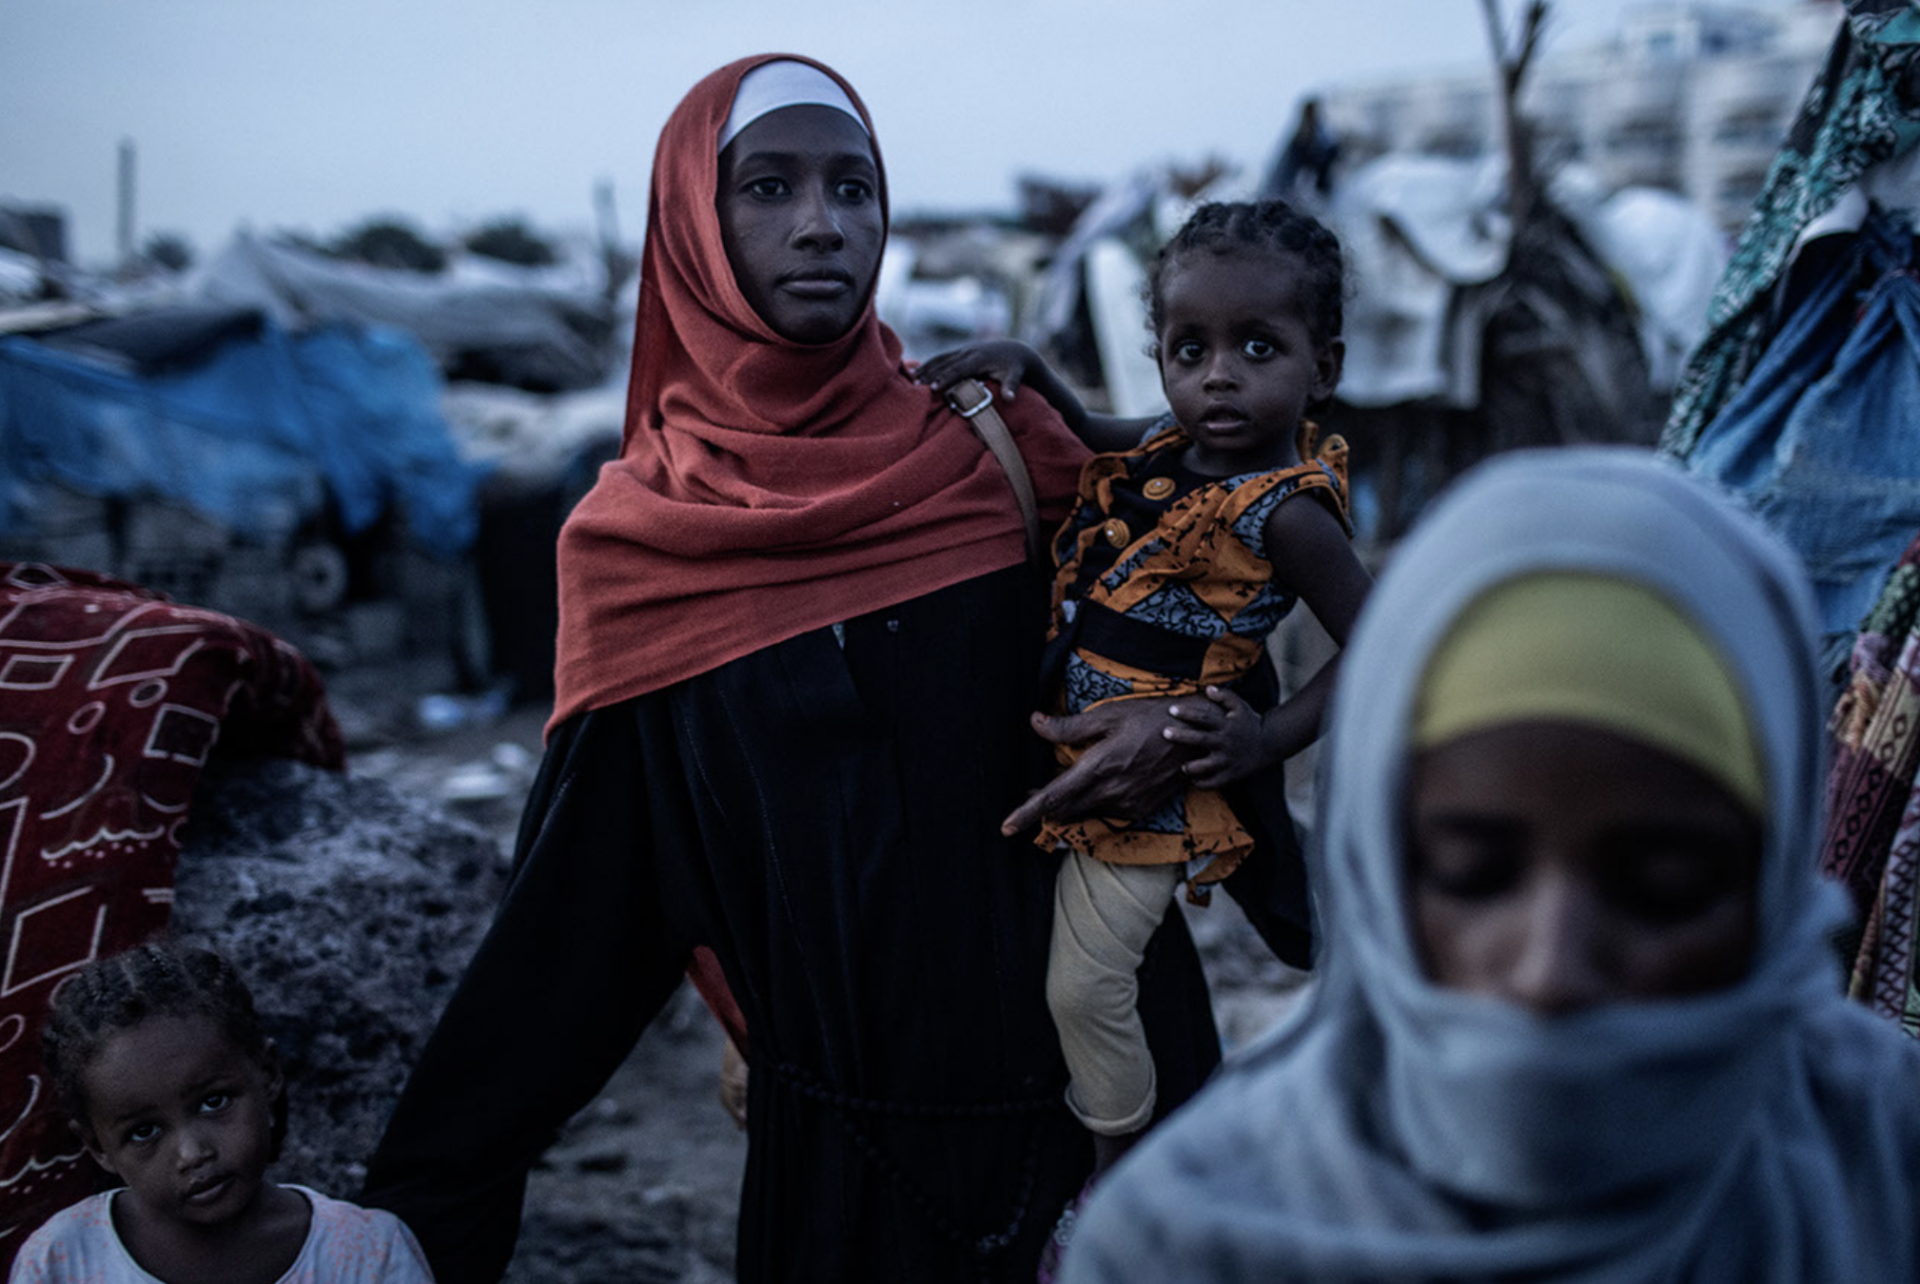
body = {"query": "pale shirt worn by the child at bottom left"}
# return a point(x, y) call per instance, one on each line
point(347, 1245)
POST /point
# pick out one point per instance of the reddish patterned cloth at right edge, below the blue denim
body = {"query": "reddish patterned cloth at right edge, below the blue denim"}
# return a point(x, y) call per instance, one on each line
point(1873, 797)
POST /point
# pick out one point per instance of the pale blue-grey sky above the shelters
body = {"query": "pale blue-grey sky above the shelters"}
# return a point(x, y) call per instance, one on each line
point(312, 114)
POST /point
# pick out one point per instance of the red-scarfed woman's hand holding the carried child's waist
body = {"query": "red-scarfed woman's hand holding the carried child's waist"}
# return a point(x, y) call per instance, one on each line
point(1128, 765)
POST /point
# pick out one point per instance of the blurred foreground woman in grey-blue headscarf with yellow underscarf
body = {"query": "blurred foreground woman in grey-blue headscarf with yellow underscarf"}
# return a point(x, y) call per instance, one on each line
point(1577, 1016)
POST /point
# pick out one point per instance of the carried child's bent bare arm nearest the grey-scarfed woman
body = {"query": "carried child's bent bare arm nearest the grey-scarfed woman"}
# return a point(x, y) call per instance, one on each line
point(1230, 740)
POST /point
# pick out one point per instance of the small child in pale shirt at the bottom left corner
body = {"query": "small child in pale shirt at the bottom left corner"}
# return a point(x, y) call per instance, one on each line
point(176, 1091)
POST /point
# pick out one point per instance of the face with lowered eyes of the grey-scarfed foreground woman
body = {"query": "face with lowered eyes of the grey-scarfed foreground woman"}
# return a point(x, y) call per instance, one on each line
point(1562, 867)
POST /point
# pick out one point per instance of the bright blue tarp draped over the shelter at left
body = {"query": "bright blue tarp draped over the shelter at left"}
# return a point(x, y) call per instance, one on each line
point(260, 437)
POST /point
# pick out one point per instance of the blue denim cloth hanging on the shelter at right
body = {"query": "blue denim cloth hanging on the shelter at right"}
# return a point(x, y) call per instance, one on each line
point(1825, 437)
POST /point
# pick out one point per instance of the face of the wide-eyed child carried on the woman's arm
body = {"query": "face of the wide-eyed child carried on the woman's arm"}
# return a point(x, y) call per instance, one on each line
point(1237, 358)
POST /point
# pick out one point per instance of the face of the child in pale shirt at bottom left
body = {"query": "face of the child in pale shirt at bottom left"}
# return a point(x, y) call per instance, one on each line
point(183, 1116)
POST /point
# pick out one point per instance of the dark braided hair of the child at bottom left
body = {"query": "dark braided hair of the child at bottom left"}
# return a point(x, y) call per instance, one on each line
point(153, 980)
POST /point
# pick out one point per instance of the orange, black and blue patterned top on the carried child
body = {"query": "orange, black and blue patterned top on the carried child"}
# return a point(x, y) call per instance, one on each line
point(1186, 604)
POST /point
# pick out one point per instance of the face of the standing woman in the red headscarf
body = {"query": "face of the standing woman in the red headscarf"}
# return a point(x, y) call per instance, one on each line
point(802, 222)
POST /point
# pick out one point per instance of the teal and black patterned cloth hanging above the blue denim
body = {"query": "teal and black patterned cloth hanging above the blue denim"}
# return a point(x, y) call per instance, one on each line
point(1850, 120)
